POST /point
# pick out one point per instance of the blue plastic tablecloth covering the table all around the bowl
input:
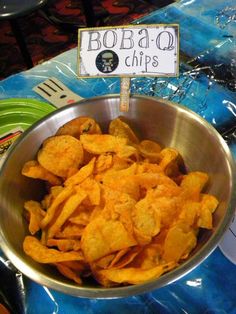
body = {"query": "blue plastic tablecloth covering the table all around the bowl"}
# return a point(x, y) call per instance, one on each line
point(206, 85)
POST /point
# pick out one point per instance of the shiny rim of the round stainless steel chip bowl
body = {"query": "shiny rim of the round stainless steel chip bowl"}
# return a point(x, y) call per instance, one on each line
point(104, 293)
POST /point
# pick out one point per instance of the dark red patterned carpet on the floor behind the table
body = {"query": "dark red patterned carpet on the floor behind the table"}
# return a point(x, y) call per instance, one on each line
point(45, 40)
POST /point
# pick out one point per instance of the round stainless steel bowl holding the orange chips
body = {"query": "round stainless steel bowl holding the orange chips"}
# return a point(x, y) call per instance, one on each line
point(200, 145)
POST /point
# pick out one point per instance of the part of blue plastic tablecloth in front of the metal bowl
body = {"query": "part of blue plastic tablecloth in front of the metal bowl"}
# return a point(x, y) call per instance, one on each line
point(209, 289)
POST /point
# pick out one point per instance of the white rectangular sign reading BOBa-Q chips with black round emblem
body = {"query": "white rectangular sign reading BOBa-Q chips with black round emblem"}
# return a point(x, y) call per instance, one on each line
point(134, 50)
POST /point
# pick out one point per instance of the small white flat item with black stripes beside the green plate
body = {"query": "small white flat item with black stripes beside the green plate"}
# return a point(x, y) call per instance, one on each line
point(56, 92)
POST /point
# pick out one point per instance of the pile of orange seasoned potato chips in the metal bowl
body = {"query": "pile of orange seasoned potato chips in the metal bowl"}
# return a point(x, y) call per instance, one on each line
point(117, 209)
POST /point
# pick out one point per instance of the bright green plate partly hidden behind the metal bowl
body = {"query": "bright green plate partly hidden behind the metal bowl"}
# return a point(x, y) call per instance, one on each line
point(21, 113)
